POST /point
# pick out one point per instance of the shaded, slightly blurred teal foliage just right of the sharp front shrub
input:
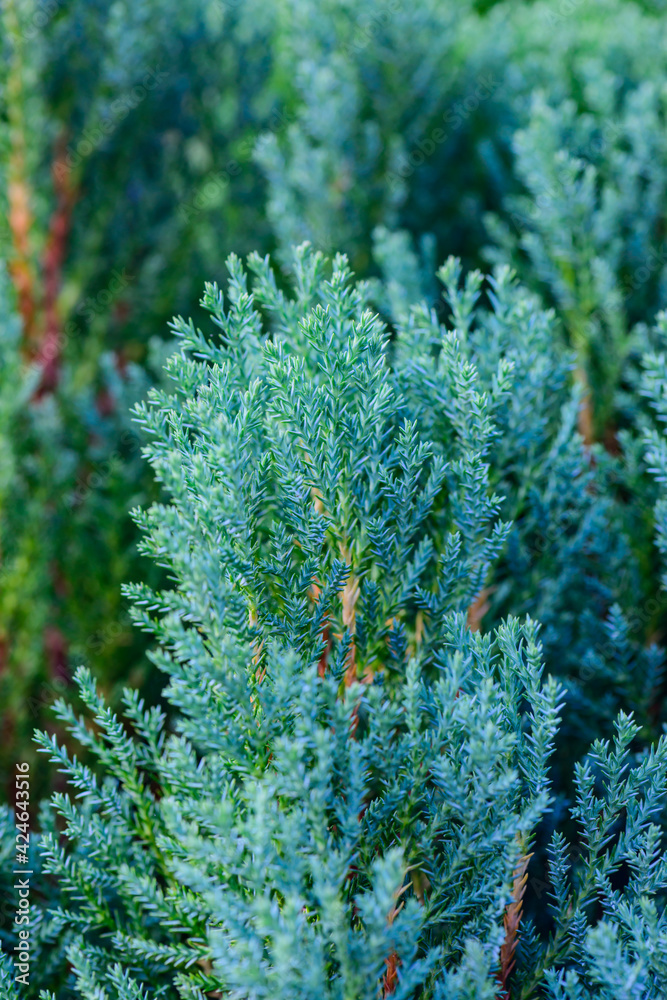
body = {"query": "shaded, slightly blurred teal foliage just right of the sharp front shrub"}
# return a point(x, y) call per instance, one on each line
point(576, 543)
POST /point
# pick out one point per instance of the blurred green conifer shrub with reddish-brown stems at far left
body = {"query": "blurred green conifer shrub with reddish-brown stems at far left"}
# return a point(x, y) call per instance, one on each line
point(116, 165)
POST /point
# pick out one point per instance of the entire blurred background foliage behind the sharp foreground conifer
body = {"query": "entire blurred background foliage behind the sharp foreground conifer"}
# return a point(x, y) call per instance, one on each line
point(141, 142)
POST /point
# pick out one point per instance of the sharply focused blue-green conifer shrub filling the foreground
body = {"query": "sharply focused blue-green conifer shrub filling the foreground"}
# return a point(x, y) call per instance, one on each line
point(354, 796)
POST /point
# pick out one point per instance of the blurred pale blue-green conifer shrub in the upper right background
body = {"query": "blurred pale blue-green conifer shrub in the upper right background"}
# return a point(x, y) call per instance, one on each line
point(528, 134)
